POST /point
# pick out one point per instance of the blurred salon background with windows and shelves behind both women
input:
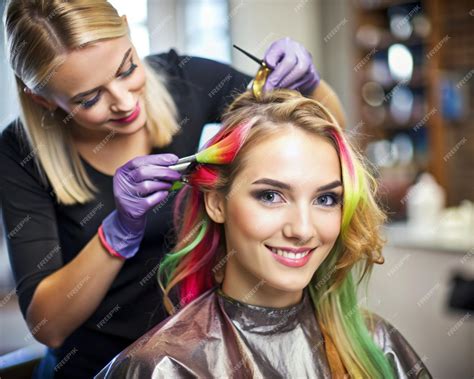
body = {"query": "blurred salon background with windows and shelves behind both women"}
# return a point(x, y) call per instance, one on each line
point(404, 73)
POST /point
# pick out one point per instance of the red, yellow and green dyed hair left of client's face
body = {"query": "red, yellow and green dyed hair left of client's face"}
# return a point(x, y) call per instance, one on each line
point(190, 264)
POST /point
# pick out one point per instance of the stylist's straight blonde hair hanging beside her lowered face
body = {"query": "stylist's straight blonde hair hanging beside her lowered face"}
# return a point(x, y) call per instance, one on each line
point(39, 33)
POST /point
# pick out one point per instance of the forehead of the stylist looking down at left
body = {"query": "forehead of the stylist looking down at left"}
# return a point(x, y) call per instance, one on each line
point(90, 66)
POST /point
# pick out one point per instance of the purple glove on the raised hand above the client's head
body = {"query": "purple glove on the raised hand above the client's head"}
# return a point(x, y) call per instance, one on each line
point(292, 67)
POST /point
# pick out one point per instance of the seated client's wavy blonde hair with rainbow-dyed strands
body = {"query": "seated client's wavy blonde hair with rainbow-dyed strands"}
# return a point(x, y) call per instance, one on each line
point(197, 260)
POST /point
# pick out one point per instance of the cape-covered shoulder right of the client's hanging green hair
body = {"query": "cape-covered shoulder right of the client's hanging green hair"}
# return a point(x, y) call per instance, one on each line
point(395, 347)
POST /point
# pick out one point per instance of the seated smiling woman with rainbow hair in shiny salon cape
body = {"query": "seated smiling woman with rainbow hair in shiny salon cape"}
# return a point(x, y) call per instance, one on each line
point(269, 249)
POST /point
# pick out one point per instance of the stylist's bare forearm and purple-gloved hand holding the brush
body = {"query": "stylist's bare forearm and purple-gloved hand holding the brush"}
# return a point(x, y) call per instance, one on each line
point(138, 186)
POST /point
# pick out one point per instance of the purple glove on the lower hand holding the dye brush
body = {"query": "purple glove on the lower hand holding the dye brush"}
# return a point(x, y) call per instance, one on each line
point(139, 185)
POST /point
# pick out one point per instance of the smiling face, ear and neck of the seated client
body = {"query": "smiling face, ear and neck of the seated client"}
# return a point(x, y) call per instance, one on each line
point(288, 195)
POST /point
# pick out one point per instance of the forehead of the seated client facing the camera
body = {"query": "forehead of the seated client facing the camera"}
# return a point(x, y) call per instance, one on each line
point(293, 156)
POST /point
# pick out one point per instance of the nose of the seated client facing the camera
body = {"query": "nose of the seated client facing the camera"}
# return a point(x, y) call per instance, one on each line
point(299, 225)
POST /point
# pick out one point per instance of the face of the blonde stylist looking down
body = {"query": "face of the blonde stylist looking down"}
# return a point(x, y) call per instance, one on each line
point(101, 87)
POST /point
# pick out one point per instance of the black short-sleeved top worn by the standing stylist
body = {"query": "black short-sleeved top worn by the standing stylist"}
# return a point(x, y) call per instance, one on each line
point(44, 236)
